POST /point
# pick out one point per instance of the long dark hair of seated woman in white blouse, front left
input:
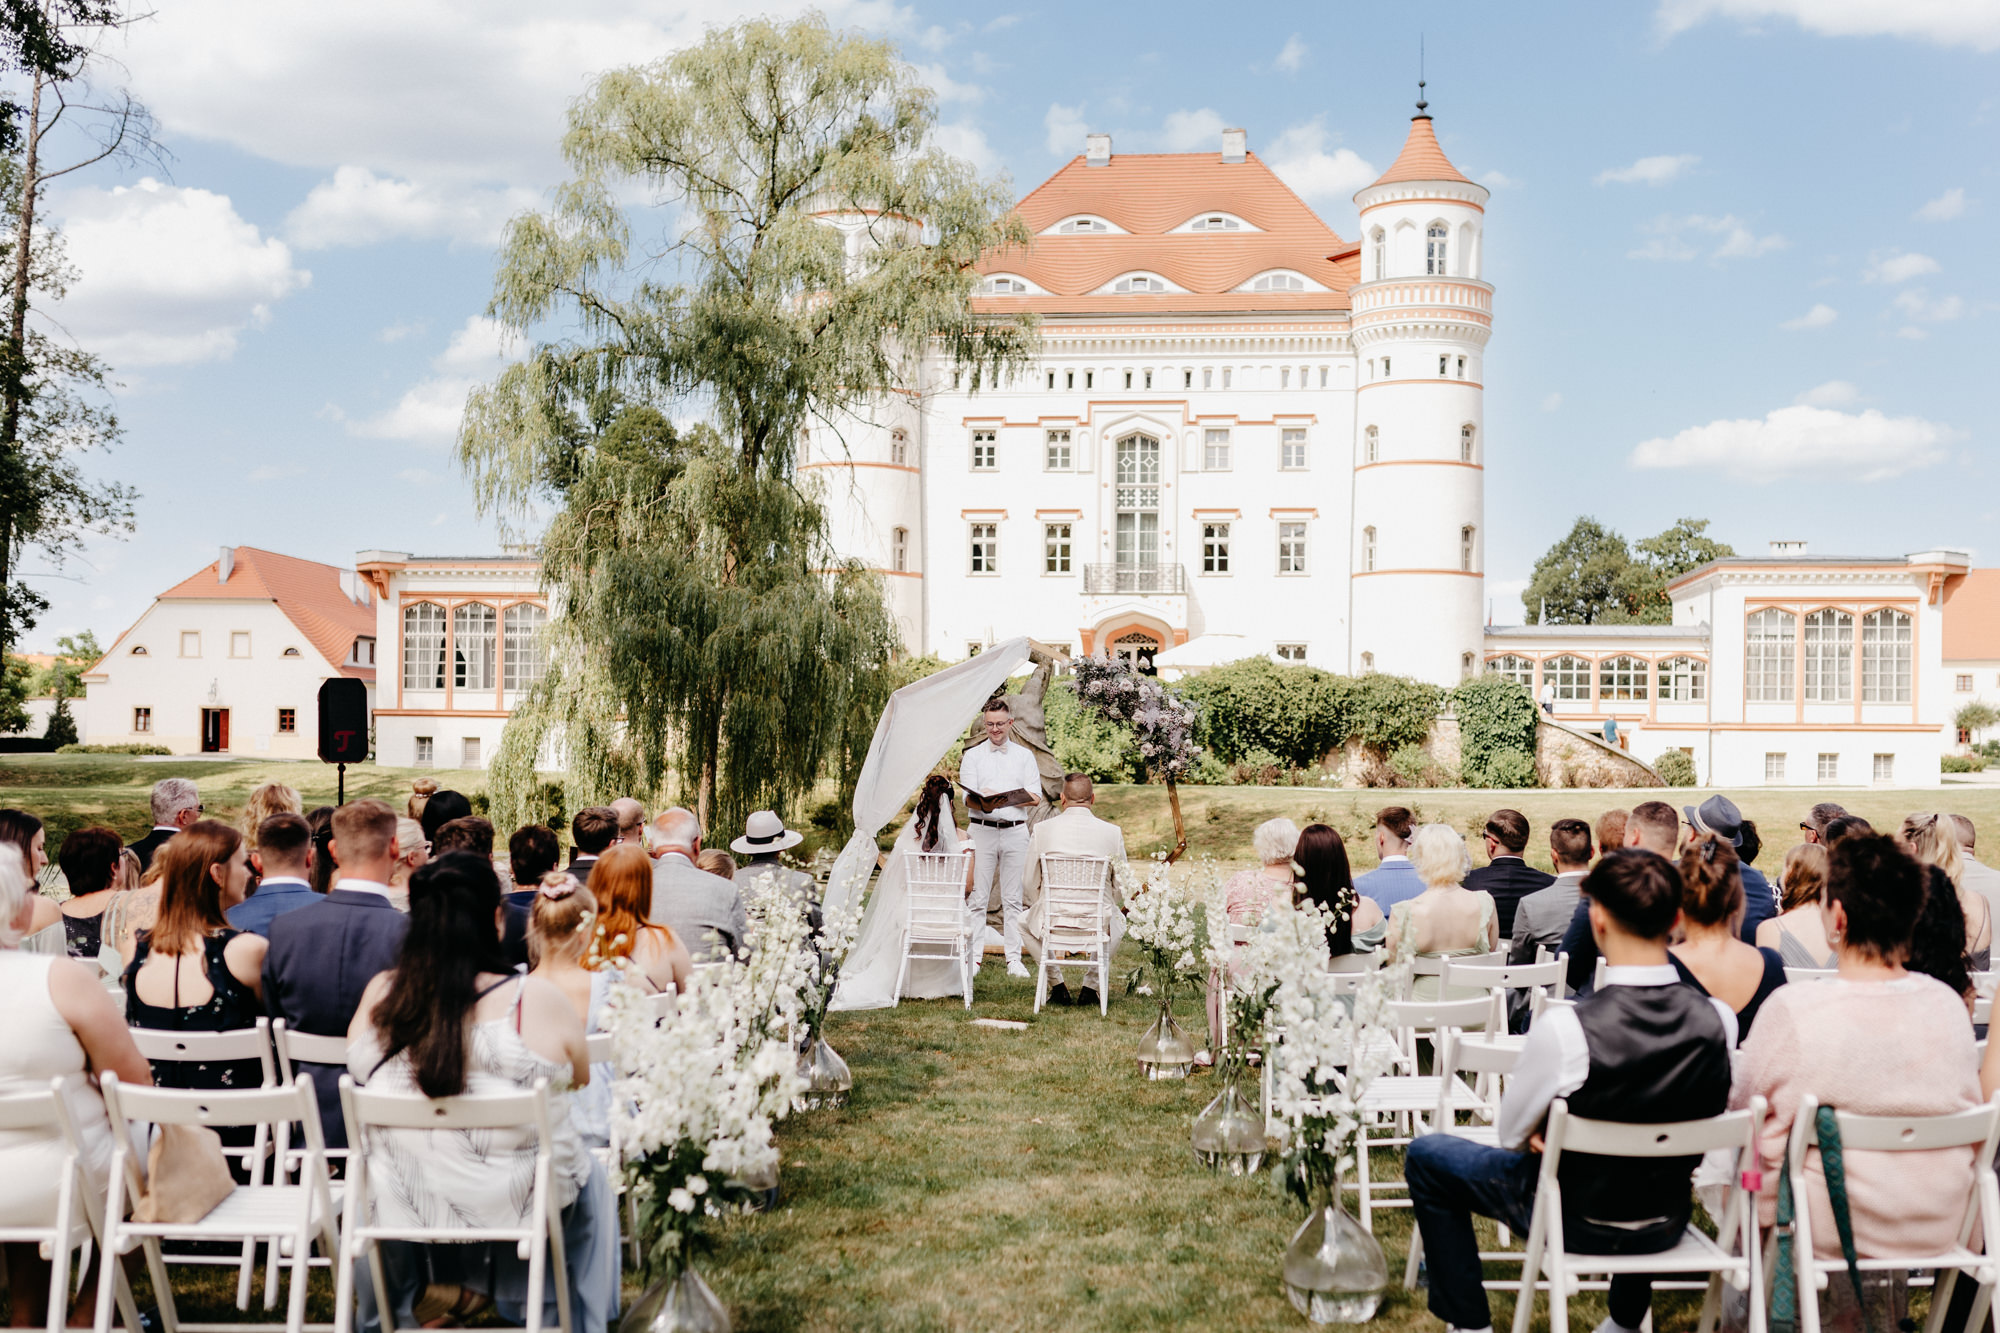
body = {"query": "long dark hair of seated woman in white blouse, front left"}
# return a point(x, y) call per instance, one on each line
point(435, 986)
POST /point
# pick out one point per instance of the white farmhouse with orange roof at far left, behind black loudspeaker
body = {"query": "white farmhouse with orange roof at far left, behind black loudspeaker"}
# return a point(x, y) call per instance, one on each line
point(231, 659)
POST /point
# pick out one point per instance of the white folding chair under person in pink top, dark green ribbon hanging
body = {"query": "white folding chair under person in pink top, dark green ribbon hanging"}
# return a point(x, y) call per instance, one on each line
point(1903, 1134)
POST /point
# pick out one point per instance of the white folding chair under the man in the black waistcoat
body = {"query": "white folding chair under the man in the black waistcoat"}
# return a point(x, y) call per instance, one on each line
point(1729, 1256)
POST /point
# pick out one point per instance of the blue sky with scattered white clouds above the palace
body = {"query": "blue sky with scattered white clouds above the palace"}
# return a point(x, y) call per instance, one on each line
point(1743, 249)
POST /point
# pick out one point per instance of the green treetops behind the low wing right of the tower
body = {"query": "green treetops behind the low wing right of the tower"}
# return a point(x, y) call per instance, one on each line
point(1593, 577)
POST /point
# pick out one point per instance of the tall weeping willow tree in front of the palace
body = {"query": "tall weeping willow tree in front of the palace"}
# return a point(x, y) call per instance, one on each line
point(757, 237)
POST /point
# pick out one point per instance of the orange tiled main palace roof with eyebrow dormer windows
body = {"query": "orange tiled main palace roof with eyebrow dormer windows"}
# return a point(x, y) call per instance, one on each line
point(1149, 195)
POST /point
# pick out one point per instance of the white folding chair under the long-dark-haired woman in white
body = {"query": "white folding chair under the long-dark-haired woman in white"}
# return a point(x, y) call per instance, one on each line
point(539, 1236)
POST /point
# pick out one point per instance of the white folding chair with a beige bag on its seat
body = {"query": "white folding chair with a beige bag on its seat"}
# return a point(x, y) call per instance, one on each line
point(287, 1216)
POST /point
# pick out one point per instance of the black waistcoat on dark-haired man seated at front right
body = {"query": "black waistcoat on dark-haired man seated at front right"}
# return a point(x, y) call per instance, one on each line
point(1657, 1056)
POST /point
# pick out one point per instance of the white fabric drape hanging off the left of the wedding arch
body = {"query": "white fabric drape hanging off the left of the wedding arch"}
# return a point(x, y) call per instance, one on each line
point(919, 728)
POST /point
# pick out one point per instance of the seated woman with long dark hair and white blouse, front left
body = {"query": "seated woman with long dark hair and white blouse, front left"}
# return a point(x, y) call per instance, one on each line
point(449, 1020)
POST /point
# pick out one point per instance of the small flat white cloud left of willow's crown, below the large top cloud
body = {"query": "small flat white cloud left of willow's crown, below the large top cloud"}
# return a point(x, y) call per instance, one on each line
point(361, 209)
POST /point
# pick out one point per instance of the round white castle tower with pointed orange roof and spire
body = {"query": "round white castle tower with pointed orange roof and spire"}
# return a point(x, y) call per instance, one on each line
point(1421, 325)
